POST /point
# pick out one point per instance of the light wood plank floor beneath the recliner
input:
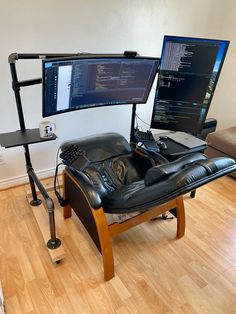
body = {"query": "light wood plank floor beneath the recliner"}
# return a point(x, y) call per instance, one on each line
point(155, 273)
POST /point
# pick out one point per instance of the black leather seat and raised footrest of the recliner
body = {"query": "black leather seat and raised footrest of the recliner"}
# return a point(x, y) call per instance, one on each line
point(137, 196)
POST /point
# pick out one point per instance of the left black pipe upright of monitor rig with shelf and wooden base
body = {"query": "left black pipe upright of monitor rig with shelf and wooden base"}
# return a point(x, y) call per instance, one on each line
point(25, 137)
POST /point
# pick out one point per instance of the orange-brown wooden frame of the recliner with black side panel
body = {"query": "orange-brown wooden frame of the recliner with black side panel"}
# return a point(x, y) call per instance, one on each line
point(94, 220)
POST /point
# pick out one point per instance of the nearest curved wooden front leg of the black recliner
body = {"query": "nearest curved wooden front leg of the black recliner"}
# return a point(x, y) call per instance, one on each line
point(105, 242)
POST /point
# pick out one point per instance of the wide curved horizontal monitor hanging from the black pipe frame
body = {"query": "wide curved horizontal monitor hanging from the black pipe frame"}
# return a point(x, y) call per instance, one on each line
point(91, 80)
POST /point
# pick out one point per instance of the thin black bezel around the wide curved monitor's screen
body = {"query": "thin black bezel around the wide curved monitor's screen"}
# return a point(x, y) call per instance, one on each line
point(95, 56)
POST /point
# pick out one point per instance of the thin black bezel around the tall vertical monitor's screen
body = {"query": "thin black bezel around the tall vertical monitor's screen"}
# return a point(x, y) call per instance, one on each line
point(198, 128)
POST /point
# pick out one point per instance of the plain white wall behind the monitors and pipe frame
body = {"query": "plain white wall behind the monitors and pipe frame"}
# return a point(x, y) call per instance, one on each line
point(96, 26)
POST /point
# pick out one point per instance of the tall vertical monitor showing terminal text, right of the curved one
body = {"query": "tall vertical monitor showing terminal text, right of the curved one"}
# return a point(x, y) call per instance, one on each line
point(189, 70)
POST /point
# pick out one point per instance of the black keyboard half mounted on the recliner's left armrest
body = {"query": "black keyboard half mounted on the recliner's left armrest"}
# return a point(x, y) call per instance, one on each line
point(74, 157)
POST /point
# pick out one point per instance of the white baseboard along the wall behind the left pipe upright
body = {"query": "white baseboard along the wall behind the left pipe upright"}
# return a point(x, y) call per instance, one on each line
point(23, 179)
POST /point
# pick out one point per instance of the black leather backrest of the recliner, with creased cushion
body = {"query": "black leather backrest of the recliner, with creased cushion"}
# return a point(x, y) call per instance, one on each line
point(113, 163)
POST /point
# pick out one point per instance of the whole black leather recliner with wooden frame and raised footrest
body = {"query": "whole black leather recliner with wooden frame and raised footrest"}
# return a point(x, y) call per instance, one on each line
point(125, 179)
